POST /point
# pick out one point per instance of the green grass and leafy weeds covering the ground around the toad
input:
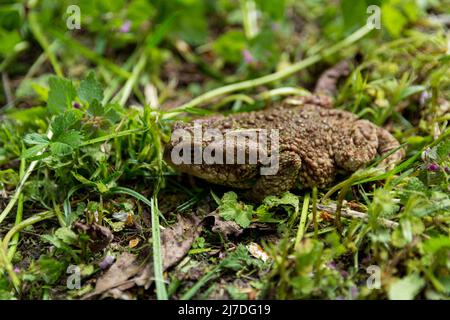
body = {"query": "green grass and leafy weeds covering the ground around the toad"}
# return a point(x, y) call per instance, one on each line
point(82, 141)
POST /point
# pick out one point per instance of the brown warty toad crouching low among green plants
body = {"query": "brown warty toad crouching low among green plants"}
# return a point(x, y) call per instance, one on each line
point(315, 143)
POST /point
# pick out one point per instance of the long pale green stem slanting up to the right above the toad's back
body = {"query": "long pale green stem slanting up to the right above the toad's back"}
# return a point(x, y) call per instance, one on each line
point(360, 33)
